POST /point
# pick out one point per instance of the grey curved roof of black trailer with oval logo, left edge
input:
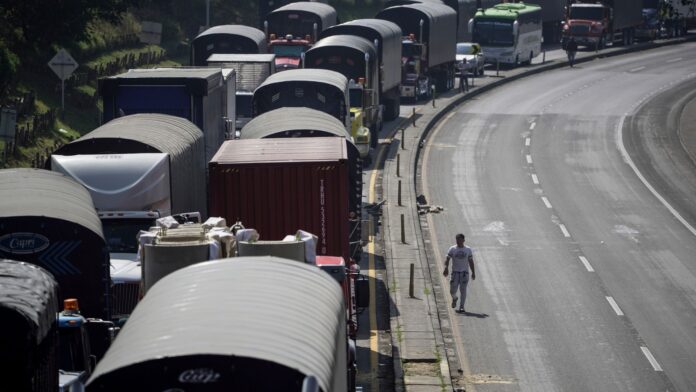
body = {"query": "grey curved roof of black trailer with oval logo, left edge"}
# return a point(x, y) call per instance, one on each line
point(38, 192)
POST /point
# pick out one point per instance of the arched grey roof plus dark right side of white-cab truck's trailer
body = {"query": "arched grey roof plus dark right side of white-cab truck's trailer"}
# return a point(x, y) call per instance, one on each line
point(140, 133)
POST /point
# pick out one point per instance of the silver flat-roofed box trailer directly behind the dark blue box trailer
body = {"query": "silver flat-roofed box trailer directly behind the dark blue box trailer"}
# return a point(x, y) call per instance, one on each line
point(250, 71)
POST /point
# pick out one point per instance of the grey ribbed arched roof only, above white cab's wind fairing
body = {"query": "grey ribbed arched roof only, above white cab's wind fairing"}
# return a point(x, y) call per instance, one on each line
point(138, 133)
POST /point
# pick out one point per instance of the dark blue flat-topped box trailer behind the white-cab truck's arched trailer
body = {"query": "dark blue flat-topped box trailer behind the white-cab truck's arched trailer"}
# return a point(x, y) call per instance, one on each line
point(204, 96)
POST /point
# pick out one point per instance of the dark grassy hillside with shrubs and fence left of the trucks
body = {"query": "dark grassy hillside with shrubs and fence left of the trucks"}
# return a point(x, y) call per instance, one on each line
point(111, 49)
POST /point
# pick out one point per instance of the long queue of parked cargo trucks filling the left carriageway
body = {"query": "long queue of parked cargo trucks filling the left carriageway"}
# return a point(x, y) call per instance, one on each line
point(232, 138)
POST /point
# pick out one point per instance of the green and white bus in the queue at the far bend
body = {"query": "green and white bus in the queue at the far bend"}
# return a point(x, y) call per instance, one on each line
point(508, 33)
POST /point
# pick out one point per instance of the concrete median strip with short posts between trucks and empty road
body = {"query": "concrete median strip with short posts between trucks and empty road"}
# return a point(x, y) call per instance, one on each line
point(420, 325)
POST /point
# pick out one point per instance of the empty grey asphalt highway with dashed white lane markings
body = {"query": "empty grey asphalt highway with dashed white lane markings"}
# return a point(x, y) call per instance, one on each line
point(579, 201)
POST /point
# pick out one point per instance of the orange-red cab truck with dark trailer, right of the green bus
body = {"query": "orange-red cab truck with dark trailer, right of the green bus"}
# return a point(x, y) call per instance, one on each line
point(594, 24)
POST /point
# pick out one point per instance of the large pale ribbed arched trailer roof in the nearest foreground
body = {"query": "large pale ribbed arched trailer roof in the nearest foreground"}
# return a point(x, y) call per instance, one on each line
point(263, 308)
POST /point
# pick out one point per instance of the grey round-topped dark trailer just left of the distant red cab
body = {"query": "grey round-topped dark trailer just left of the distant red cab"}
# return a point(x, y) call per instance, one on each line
point(236, 39)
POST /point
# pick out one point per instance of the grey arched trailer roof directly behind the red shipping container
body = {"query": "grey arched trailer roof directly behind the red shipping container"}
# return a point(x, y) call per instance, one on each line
point(286, 120)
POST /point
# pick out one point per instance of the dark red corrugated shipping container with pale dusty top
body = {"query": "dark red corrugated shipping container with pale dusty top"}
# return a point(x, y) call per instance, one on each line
point(278, 186)
